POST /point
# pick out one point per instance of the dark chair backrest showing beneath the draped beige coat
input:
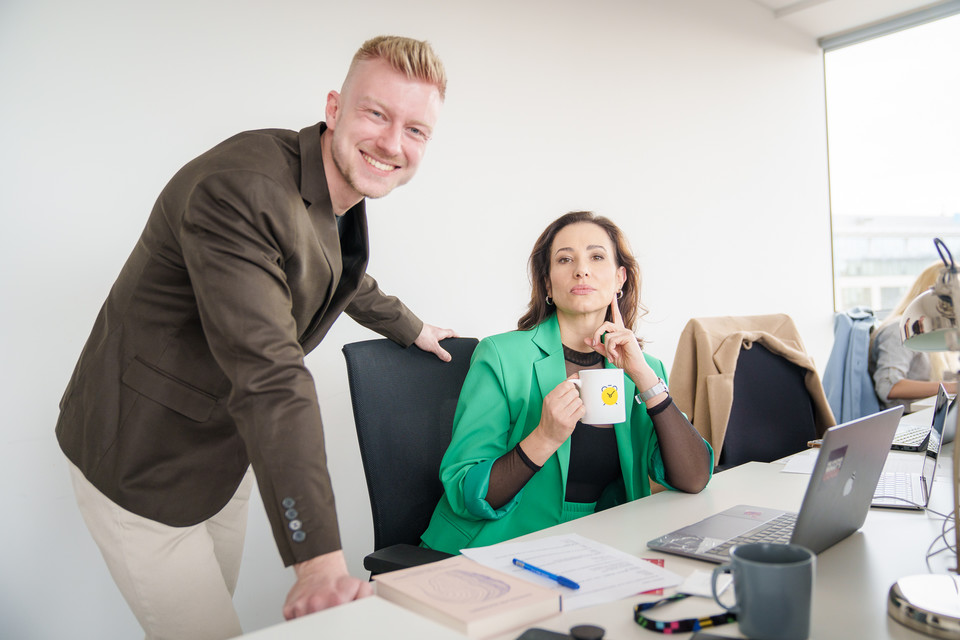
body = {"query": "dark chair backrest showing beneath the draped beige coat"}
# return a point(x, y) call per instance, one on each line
point(772, 414)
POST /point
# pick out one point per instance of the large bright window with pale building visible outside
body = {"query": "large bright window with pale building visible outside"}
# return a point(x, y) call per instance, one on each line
point(893, 118)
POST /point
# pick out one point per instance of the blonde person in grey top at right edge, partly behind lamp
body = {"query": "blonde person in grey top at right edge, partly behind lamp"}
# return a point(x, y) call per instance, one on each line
point(899, 373)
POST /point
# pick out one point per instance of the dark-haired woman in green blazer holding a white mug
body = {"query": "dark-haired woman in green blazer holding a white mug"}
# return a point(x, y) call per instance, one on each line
point(519, 459)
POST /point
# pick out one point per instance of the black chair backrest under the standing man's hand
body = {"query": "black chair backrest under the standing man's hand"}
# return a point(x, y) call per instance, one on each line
point(403, 405)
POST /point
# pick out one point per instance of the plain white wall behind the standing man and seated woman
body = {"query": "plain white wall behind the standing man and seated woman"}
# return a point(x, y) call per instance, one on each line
point(698, 125)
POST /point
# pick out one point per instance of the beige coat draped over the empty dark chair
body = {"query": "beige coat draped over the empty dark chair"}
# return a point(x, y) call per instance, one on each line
point(701, 380)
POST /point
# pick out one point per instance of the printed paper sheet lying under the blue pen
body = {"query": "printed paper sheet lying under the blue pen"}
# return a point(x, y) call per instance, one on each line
point(604, 574)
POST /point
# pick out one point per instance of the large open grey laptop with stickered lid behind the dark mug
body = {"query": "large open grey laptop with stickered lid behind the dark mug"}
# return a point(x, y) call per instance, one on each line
point(835, 505)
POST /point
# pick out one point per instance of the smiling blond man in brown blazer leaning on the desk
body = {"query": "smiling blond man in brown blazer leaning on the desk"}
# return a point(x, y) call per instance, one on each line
point(194, 371)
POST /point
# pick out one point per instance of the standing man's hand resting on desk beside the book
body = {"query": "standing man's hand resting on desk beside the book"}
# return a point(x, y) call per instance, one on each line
point(323, 582)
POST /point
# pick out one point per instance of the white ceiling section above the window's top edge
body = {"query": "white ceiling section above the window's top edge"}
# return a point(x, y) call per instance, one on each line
point(822, 18)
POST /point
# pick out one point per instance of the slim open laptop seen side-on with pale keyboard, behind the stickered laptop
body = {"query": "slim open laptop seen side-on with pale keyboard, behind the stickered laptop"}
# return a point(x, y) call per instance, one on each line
point(909, 487)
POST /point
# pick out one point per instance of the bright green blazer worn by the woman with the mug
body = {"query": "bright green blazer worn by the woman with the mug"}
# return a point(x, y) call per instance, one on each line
point(500, 404)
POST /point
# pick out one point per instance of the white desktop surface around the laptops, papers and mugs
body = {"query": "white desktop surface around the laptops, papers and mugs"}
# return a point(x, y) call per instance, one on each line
point(850, 592)
